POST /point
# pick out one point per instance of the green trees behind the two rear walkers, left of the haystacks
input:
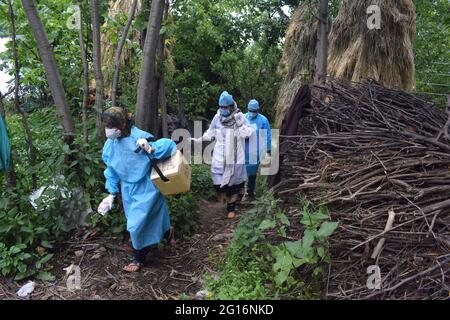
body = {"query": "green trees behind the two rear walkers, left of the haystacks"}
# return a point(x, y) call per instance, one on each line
point(241, 46)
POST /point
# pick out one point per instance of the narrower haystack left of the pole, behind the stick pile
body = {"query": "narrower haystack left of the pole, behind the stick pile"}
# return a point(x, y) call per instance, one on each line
point(297, 65)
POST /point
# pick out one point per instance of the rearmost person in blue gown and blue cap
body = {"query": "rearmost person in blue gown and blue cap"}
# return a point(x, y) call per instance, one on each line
point(257, 147)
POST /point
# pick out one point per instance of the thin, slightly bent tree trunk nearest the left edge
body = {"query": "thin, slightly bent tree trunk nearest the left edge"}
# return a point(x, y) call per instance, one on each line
point(29, 137)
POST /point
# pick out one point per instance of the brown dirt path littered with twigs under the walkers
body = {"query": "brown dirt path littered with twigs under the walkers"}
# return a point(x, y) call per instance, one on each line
point(167, 274)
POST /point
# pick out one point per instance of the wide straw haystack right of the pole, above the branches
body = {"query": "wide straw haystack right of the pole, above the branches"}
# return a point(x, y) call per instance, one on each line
point(385, 55)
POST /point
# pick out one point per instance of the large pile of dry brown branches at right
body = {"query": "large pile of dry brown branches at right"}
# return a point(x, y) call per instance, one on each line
point(379, 159)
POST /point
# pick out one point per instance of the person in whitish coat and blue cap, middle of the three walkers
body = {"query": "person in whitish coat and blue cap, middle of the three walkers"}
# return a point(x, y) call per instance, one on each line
point(229, 127)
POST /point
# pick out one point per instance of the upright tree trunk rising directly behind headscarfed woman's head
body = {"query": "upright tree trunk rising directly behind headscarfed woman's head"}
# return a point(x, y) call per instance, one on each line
point(97, 61)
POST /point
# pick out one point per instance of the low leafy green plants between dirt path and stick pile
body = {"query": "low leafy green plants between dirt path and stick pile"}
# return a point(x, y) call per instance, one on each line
point(254, 269)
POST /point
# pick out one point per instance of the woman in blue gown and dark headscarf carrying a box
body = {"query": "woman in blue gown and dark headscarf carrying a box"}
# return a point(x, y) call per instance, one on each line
point(145, 207)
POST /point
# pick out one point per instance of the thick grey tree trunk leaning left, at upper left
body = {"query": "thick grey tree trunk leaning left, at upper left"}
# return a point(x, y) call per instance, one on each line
point(48, 60)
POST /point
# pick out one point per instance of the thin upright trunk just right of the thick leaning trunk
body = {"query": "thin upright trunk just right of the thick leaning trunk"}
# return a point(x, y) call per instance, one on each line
point(85, 76)
